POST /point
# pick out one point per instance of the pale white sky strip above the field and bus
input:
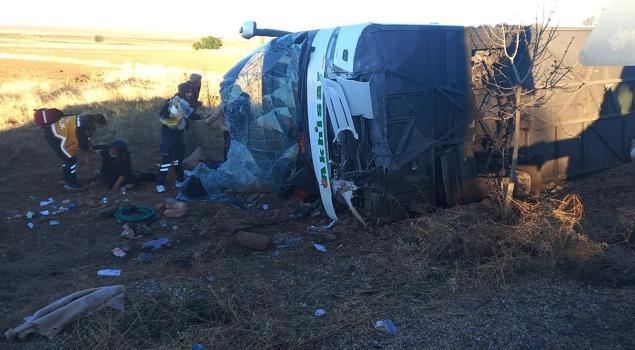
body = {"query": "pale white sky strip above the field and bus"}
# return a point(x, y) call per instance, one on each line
point(223, 18)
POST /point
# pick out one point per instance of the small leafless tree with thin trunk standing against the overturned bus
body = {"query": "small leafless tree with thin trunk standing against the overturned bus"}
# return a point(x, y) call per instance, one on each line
point(516, 72)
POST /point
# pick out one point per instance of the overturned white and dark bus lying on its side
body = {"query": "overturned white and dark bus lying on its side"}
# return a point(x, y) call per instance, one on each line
point(385, 119)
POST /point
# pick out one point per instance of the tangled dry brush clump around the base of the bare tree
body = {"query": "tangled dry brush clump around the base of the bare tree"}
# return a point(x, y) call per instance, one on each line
point(543, 232)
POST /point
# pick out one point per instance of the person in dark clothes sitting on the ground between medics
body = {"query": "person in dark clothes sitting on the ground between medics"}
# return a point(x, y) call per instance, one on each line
point(116, 166)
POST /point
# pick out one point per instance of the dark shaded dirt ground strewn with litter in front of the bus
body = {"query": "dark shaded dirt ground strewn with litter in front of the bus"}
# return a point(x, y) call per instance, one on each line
point(252, 299)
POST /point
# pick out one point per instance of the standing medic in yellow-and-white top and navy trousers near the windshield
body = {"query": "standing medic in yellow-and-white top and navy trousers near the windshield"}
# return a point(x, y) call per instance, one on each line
point(173, 118)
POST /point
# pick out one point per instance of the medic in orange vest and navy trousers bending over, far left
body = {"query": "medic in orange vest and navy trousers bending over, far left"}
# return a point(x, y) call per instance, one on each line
point(67, 137)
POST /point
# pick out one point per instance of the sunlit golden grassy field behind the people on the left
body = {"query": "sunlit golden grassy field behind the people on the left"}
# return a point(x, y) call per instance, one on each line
point(126, 78)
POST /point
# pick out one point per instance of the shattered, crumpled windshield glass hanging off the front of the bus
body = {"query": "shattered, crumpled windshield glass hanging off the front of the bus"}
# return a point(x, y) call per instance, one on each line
point(260, 100)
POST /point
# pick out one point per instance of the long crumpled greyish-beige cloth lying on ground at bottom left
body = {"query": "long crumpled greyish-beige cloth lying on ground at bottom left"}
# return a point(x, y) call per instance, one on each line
point(52, 319)
